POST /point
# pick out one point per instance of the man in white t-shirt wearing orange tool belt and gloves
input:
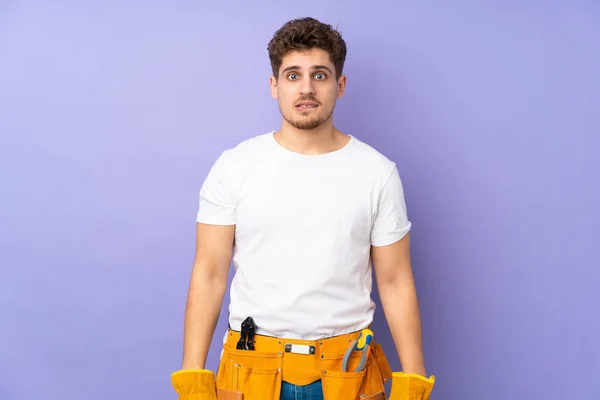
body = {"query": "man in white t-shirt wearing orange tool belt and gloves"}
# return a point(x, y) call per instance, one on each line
point(302, 212)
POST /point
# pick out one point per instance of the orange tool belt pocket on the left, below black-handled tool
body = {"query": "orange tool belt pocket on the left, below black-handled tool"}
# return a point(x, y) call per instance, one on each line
point(248, 375)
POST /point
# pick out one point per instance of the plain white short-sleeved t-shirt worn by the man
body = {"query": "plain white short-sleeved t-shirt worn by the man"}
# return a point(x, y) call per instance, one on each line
point(305, 225)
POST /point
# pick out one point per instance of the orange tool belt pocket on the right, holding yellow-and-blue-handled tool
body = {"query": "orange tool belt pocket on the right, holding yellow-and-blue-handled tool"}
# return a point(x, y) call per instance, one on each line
point(365, 384)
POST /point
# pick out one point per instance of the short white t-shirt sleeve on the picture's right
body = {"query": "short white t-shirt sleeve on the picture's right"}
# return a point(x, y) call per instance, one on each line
point(391, 221)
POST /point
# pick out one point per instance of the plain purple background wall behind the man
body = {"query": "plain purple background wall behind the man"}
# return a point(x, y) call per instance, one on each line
point(111, 115)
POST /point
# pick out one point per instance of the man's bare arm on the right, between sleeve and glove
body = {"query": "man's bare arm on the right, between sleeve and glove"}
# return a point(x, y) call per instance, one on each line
point(399, 300)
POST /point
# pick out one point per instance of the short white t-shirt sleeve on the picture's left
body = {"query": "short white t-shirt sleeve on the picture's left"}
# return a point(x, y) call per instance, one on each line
point(216, 200)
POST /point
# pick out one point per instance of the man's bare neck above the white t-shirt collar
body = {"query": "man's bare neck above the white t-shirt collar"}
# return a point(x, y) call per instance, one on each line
point(323, 139)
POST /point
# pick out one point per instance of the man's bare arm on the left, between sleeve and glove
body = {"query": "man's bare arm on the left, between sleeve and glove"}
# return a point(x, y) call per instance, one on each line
point(214, 244)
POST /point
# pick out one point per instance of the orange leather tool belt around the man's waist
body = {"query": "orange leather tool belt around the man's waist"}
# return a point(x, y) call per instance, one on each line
point(255, 372)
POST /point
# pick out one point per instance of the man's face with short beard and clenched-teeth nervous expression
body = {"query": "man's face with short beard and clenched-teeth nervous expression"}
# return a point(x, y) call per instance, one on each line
point(306, 88)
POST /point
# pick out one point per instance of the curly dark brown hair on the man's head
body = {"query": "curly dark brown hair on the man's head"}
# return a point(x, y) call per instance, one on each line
point(305, 34)
